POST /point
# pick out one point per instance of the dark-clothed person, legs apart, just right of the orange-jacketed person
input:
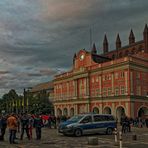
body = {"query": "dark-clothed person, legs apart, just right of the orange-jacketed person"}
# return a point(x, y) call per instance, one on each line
point(25, 126)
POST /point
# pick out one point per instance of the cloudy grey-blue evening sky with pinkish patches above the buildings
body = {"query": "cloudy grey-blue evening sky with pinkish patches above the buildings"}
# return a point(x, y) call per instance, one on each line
point(38, 38)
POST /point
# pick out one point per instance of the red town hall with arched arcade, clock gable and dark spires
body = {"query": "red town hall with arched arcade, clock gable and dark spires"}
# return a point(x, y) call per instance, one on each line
point(115, 82)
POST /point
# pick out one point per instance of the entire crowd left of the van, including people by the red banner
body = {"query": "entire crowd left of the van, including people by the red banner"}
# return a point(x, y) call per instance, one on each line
point(24, 123)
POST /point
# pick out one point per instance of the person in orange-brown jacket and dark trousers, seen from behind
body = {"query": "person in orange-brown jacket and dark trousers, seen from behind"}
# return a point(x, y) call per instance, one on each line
point(12, 125)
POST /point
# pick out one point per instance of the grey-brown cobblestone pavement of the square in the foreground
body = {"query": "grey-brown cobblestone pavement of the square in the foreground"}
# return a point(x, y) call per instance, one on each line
point(52, 139)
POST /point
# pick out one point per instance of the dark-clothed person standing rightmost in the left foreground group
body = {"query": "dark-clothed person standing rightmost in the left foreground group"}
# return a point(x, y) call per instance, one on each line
point(38, 124)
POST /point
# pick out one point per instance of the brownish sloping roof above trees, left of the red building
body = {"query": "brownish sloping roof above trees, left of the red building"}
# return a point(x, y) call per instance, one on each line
point(42, 86)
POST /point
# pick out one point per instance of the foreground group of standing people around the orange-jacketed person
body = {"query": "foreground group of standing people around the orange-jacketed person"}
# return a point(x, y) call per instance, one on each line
point(20, 123)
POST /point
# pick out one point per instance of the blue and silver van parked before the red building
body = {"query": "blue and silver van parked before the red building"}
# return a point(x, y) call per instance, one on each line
point(88, 124)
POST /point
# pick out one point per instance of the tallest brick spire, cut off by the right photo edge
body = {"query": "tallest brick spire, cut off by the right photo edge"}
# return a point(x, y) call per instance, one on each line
point(145, 38)
